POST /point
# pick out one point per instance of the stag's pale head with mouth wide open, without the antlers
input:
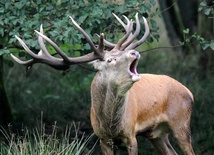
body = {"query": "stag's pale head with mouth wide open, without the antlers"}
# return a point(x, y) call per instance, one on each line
point(118, 66)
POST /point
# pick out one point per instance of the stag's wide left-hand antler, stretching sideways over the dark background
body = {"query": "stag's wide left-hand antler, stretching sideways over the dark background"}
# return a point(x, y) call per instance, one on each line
point(64, 62)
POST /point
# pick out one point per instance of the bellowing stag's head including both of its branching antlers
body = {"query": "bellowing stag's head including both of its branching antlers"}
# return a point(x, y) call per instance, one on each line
point(121, 60)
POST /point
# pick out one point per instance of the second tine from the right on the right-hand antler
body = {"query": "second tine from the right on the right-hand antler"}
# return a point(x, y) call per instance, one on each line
point(132, 37)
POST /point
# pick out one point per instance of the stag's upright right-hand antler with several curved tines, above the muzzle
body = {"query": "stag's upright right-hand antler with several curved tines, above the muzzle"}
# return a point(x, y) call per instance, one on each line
point(131, 37)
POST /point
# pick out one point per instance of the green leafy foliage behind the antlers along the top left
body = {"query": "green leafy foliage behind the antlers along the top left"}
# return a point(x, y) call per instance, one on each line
point(23, 17)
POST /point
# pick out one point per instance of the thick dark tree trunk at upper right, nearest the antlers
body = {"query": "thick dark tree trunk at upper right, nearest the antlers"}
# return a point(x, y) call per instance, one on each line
point(179, 15)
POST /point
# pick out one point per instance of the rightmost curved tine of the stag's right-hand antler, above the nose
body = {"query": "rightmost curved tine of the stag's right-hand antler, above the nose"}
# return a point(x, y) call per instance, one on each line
point(139, 42)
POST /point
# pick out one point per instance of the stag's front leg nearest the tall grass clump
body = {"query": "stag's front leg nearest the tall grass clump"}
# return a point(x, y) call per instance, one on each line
point(107, 147)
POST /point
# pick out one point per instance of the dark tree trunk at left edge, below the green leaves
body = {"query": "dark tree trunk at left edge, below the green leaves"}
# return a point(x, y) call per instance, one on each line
point(5, 111)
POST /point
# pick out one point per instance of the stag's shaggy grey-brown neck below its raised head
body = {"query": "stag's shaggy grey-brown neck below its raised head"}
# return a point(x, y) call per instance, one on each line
point(109, 100)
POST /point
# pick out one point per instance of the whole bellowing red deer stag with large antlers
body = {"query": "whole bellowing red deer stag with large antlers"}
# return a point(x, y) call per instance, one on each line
point(125, 103)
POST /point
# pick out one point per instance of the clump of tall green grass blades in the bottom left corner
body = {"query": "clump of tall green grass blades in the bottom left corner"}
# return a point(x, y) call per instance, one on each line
point(39, 142)
